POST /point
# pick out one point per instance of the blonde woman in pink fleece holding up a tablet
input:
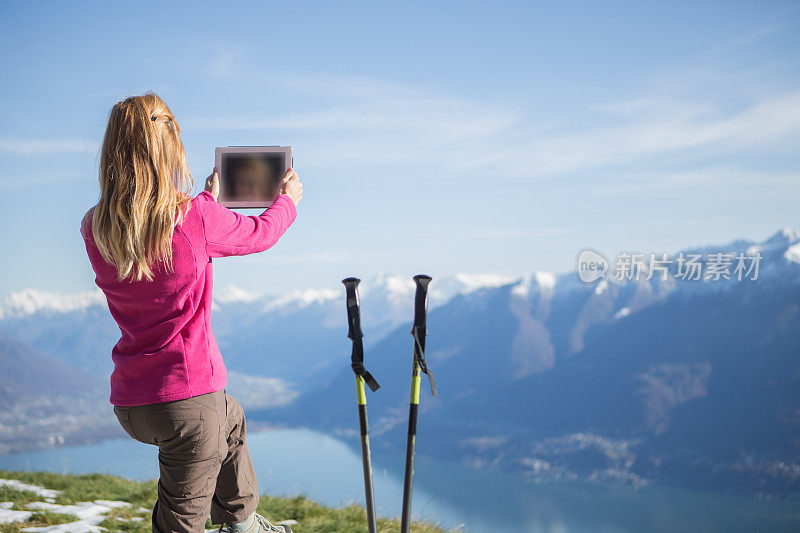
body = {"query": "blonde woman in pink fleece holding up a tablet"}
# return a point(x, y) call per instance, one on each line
point(151, 247)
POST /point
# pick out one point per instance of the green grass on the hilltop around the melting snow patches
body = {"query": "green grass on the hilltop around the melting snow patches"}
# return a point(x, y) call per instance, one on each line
point(312, 517)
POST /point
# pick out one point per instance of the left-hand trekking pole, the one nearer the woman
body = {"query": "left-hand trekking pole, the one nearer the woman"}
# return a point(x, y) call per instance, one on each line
point(355, 334)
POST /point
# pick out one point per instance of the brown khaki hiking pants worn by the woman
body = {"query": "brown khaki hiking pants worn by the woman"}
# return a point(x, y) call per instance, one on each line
point(203, 459)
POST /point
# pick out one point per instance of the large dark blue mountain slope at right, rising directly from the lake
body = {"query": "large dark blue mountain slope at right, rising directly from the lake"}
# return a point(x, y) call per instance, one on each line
point(691, 383)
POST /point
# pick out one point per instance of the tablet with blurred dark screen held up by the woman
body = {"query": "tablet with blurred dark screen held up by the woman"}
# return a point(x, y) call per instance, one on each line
point(249, 175)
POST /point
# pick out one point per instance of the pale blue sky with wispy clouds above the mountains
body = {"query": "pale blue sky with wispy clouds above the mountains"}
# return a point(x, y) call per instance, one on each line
point(435, 137)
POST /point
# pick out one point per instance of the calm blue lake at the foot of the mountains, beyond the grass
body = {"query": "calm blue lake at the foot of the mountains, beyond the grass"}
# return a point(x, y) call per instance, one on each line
point(295, 461)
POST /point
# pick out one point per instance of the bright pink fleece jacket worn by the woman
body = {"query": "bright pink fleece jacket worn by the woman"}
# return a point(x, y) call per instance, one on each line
point(167, 350)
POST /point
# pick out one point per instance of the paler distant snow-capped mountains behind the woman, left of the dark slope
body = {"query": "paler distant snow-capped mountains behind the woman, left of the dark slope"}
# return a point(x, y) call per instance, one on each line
point(261, 335)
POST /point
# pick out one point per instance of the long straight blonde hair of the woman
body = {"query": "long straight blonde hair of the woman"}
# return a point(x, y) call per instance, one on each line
point(144, 187)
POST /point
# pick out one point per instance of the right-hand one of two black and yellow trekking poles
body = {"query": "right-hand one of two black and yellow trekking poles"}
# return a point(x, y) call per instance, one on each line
point(419, 330)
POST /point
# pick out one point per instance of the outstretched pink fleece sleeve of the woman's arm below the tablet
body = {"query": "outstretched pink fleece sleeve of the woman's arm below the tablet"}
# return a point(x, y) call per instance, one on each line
point(229, 233)
